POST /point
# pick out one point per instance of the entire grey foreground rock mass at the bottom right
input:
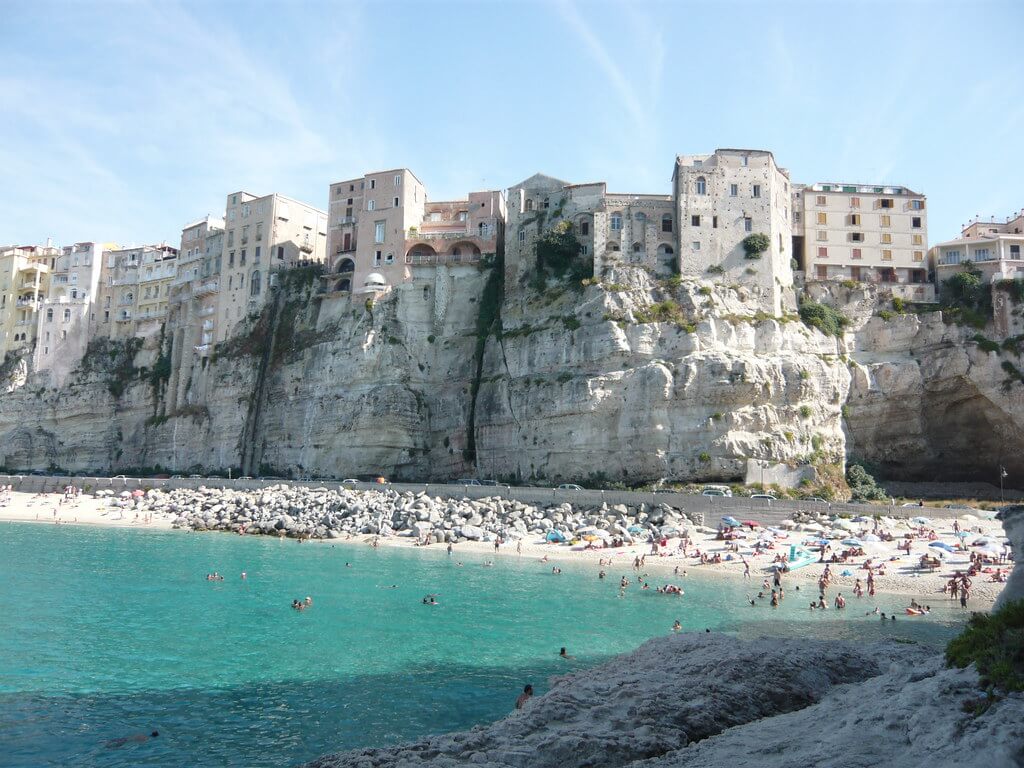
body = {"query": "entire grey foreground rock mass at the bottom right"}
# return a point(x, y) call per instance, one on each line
point(713, 700)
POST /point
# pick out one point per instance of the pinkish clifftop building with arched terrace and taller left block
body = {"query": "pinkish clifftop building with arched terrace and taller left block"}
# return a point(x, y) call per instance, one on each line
point(382, 225)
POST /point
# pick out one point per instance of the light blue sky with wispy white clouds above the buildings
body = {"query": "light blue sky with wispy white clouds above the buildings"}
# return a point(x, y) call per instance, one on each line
point(125, 121)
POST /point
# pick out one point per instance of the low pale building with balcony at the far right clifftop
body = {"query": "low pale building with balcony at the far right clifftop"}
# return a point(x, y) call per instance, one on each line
point(994, 247)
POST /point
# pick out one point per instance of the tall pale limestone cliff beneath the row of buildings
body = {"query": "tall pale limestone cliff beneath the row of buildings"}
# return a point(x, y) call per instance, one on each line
point(630, 379)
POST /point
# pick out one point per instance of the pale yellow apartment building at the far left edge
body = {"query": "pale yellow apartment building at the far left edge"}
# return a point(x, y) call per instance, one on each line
point(25, 276)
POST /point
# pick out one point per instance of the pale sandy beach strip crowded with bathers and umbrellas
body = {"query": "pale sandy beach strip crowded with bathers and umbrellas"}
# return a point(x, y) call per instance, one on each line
point(903, 575)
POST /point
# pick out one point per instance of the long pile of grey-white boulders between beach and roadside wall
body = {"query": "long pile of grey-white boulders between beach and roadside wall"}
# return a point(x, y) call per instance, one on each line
point(332, 514)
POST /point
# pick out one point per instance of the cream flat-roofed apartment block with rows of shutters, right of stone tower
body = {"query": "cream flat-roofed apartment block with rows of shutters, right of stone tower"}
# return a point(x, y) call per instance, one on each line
point(865, 233)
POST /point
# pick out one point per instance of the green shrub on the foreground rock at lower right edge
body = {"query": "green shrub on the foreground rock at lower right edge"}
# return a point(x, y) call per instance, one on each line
point(996, 646)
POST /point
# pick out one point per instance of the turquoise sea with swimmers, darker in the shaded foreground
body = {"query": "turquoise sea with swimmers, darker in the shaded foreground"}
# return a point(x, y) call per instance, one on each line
point(108, 633)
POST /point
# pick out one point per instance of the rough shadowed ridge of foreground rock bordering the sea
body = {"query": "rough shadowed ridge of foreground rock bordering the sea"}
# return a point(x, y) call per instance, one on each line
point(669, 694)
